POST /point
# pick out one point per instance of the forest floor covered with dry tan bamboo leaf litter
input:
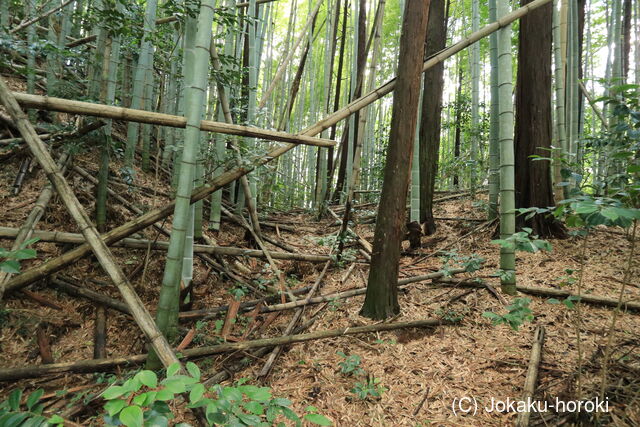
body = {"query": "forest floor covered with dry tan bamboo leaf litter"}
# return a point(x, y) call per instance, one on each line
point(422, 370)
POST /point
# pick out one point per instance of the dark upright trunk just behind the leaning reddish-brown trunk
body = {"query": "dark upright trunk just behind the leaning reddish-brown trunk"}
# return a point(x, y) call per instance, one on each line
point(431, 114)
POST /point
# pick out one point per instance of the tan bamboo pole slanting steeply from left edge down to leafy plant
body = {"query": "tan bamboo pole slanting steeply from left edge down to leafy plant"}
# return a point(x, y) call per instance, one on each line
point(97, 245)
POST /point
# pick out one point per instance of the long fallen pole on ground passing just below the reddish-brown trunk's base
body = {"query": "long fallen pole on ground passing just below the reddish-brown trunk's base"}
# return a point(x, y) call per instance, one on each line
point(99, 365)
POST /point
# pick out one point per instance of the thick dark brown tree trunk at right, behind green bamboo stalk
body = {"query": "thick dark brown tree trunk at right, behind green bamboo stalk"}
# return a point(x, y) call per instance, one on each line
point(533, 120)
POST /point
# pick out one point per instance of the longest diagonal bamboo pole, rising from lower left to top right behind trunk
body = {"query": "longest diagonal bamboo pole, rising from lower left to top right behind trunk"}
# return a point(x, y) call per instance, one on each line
point(220, 181)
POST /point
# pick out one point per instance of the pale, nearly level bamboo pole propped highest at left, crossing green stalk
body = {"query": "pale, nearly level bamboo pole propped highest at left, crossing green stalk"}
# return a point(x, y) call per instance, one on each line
point(141, 116)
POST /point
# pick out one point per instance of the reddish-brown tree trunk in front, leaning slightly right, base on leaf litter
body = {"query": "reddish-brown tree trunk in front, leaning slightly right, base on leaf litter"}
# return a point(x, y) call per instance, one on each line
point(382, 288)
